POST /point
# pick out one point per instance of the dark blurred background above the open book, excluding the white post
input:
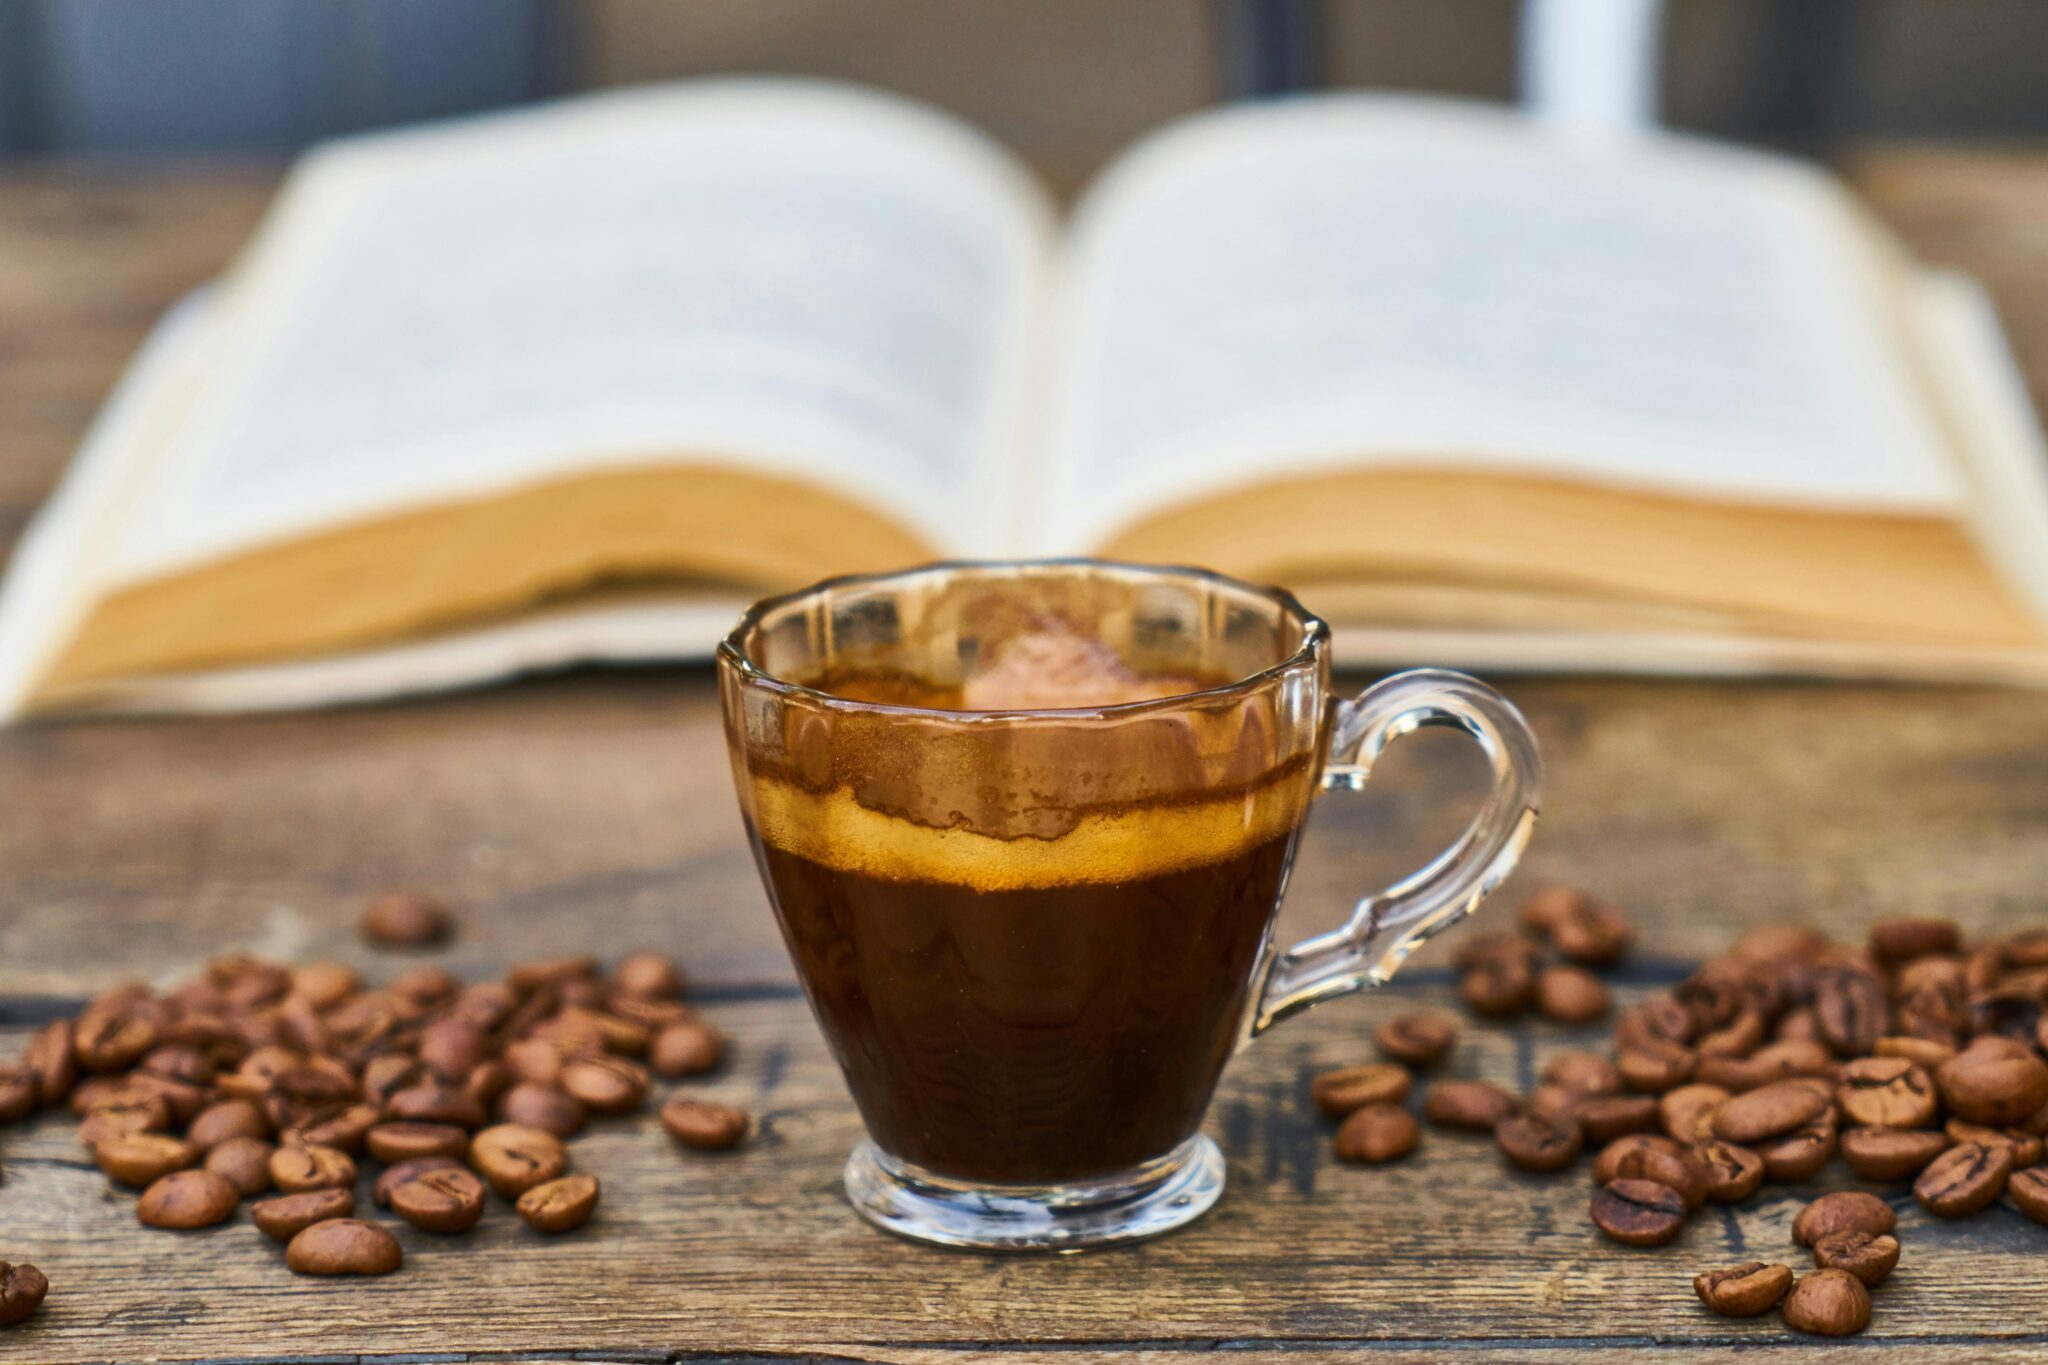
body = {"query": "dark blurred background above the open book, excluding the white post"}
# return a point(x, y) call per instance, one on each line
point(1064, 81)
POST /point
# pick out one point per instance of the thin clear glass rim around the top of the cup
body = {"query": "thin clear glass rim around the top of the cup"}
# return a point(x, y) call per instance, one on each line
point(732, 652)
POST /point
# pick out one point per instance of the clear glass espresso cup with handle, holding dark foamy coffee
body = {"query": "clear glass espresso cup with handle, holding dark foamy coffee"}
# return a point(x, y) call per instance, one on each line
point(1025, 828)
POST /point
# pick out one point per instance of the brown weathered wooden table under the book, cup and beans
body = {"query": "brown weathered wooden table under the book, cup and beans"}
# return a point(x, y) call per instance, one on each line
point(595, 809)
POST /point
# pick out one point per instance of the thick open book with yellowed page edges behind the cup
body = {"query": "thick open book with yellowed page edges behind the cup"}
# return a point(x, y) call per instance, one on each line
point(574, 384)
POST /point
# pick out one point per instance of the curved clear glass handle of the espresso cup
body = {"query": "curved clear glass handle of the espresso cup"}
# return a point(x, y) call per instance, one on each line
point(1390, 926)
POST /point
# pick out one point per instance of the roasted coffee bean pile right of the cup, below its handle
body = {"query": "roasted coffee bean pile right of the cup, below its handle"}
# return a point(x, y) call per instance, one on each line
point(1914, 1059)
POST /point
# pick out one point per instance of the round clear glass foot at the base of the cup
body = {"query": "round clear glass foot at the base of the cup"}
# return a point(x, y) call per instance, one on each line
point(1037, 1219)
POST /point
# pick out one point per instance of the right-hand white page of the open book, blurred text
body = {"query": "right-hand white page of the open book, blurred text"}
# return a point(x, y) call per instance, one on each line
point(1394, 281)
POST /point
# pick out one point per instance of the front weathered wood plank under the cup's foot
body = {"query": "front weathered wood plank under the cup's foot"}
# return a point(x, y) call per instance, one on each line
point(759, 1251)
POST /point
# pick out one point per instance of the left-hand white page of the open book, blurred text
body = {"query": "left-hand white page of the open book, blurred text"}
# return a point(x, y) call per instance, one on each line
point(769, 275)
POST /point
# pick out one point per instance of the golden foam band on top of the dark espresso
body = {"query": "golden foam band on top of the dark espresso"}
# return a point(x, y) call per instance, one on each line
point(1105, 846)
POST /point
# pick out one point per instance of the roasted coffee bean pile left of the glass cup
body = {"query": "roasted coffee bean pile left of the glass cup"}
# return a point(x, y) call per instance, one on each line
point(261, 1080)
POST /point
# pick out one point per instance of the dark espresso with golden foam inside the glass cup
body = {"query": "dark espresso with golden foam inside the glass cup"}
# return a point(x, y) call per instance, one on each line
point(1037, 1010)
